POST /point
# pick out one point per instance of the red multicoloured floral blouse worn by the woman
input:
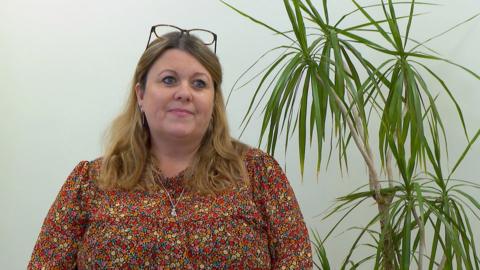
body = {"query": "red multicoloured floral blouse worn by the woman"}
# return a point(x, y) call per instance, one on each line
point(257, 226)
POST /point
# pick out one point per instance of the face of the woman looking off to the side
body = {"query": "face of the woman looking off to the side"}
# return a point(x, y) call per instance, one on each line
point(178, 97)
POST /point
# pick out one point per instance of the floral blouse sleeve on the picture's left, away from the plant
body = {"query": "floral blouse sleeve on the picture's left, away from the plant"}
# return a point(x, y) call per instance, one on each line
point(62, 229)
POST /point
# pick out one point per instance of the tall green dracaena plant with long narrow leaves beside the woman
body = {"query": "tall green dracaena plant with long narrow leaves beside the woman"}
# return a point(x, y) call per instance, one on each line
point(322, 84)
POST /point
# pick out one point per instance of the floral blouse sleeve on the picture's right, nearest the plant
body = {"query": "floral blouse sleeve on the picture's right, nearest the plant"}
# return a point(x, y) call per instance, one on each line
point(288, 235)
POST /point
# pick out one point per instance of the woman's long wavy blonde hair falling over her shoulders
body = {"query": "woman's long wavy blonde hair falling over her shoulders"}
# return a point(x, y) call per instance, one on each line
point(128, 163)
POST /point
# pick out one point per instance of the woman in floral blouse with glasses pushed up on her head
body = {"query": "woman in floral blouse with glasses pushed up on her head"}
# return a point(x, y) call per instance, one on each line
point(174, 190)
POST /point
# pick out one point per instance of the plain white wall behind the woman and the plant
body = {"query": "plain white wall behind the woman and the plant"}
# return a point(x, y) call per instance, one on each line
point(65, 67)
